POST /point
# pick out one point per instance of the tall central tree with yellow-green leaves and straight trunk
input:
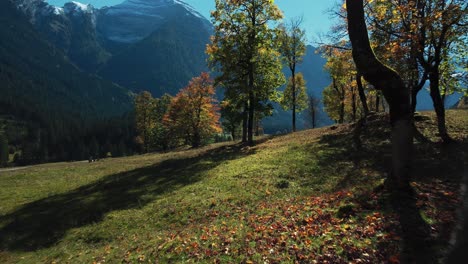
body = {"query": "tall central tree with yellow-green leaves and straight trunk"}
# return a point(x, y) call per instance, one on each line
point(243, 50)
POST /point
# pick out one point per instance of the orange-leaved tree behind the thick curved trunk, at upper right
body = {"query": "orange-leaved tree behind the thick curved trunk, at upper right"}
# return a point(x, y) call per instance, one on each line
point(417, 38)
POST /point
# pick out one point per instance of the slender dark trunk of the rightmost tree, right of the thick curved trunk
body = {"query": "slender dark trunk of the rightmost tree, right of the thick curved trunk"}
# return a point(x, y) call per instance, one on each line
point(438, 106)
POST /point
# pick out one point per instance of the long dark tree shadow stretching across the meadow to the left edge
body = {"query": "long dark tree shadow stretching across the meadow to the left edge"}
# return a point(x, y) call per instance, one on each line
point(42, 223)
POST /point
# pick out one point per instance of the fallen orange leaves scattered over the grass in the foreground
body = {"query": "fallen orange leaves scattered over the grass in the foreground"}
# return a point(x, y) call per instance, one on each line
point(304, 230)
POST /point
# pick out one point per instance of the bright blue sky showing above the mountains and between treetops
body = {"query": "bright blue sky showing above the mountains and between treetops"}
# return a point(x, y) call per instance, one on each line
point(316, 20)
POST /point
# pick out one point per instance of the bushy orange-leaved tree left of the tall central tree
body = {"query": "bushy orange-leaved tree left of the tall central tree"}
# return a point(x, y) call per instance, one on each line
point(193, 112)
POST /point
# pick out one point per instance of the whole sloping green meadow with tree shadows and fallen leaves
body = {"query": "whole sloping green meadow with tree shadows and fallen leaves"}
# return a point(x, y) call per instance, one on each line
point(300, 197)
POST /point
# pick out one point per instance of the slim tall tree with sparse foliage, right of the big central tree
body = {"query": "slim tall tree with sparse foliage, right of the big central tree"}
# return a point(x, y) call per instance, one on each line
point(293, 48)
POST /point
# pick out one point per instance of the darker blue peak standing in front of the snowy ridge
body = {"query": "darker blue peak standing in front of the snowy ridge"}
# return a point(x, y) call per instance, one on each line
point(165, 60)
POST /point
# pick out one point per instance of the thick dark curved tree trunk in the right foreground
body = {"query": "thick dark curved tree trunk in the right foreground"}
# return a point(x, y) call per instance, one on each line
point(394, 90)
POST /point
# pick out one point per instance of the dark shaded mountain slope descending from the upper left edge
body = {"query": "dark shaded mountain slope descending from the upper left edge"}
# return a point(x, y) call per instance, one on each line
point(34, 70)
